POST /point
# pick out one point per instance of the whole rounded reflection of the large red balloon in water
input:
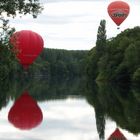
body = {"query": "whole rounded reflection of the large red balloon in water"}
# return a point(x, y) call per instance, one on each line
point(25, 114)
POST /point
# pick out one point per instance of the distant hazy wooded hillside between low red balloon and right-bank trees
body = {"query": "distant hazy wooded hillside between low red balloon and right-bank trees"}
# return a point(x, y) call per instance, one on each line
point(59, 63)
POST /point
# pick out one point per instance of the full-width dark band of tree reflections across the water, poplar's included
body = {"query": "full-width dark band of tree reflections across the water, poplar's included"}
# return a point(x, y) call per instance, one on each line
point(120, 104)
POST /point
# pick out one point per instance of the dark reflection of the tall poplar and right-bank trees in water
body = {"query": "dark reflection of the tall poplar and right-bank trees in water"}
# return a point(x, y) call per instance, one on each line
point(118, 103)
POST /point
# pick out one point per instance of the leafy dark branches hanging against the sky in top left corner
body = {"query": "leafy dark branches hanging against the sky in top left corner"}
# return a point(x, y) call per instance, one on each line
point(14, 7)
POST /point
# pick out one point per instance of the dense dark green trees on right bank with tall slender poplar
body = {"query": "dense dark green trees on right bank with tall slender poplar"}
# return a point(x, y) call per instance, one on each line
point(116, 59)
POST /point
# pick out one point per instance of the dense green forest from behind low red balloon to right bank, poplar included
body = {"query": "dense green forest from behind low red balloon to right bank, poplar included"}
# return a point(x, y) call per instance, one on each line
point(111, 60)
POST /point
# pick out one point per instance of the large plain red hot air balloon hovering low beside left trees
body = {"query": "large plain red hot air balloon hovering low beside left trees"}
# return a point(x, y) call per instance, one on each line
point(28, 45)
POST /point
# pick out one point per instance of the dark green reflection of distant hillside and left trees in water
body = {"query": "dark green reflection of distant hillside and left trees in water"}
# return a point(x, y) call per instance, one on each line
point(40, 88)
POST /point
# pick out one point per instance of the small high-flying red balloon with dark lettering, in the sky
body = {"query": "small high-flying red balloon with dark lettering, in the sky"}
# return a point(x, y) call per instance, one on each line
point(118, 11)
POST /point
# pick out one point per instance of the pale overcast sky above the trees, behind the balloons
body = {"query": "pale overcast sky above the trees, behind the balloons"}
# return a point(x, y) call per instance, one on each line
point(73, 24)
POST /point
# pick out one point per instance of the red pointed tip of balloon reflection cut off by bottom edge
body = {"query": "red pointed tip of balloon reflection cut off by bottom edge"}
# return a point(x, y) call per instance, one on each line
point(117, 135)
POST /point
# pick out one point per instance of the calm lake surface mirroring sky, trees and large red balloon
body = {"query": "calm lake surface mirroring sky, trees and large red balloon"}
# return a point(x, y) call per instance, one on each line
point(71, 111)
